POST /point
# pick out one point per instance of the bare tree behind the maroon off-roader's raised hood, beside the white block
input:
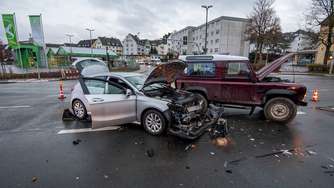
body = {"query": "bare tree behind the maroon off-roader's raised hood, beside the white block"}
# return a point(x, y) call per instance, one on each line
point(264, 25)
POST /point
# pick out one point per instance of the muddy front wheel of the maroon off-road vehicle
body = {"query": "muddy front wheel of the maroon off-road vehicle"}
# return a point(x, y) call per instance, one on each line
point(280, 110)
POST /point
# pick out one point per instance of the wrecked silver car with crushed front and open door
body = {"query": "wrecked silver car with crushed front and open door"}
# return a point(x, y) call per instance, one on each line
point(120, 98)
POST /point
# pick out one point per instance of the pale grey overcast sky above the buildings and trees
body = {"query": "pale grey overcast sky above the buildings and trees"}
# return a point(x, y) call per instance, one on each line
point(117, 18)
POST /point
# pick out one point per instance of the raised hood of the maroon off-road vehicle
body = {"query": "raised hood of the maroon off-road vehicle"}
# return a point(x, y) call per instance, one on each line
point(269, 68)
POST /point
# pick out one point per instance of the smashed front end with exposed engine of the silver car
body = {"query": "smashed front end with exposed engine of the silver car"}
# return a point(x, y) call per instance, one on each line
point(189, 118)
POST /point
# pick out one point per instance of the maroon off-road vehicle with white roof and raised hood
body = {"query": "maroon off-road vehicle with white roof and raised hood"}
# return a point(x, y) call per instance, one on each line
point(232, 81)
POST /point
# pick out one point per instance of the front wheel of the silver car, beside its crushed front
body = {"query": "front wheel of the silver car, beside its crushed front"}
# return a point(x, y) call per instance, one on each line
point(154, 122)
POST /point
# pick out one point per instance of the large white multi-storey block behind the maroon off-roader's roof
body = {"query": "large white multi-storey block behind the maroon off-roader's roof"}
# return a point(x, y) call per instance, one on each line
point(226, 35)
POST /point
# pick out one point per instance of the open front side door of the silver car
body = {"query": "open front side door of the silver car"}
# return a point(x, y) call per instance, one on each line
point(110, 104)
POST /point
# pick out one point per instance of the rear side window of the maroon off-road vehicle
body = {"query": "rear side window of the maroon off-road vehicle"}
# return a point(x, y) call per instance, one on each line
point(200, 69)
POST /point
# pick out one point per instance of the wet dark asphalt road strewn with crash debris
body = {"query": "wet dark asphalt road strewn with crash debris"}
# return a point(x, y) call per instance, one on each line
point(31, 149)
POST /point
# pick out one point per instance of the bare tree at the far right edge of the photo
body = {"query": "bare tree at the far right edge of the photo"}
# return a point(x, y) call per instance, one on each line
point(322, 13)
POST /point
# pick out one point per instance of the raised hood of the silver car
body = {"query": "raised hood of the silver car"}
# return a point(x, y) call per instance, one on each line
point(165, 72)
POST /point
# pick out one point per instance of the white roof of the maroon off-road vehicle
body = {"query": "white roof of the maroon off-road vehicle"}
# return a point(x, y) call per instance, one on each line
point(212, 57)
